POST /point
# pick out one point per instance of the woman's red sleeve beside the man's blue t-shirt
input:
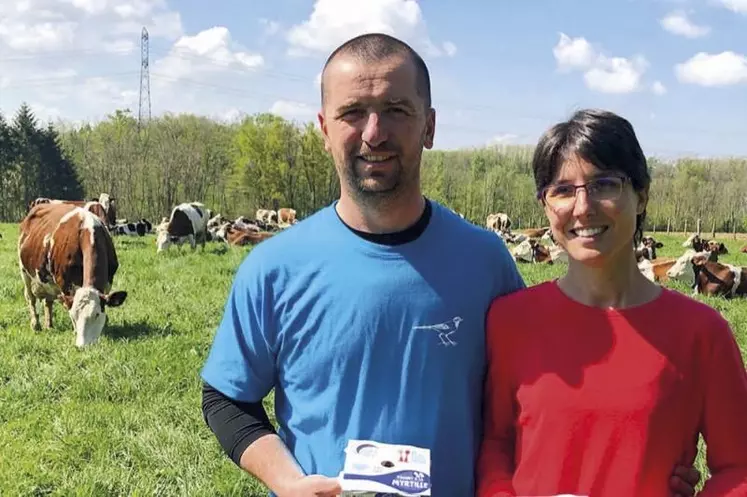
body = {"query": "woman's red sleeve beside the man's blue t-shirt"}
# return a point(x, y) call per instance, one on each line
point(495, 465)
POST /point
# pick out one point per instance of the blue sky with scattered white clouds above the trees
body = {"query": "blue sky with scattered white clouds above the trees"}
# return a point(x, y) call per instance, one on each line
point(502, 71)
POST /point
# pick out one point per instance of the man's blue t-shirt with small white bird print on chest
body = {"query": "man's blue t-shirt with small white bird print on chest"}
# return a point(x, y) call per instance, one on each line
point(366, 341)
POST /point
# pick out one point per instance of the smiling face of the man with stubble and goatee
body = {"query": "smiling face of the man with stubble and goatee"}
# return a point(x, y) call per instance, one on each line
point(375, 125)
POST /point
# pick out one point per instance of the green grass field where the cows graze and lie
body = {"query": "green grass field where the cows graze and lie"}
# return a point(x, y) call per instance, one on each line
point(123, 417)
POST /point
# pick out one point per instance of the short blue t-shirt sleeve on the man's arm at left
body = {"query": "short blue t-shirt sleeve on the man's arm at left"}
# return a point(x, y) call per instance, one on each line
point(241, 362)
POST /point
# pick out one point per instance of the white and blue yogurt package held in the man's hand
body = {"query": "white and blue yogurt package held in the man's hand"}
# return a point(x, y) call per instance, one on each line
point(374, 469)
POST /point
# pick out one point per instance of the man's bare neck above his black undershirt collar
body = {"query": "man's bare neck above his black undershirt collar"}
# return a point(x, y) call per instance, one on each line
point(384, 217)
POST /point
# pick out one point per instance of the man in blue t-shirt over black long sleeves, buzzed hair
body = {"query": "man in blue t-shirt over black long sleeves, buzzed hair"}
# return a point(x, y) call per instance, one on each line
point(367, 318)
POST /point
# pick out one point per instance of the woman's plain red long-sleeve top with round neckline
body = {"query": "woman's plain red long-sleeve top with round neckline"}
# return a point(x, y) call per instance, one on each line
point(605, 403)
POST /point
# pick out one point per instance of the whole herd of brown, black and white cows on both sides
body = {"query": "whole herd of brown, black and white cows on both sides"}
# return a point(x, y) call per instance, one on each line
point(66, 253)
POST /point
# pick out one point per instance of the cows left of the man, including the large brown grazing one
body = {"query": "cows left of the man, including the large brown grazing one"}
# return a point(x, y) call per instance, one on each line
point(66, 252)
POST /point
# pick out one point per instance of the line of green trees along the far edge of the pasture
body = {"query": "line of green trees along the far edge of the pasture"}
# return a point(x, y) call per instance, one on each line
point(266, 161)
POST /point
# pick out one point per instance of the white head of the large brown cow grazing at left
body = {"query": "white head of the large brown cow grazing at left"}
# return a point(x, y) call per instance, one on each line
point(87, 311)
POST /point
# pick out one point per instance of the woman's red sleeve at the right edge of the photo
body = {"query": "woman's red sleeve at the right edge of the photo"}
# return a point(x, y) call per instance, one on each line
point(724, 418)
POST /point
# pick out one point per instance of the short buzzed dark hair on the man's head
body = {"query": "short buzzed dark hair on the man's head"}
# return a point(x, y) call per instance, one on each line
point(376, 46)
